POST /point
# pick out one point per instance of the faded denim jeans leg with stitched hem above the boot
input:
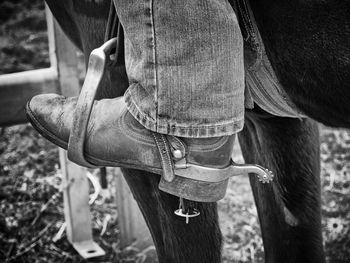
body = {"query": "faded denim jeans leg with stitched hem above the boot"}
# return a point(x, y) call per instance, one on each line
point(184, 61)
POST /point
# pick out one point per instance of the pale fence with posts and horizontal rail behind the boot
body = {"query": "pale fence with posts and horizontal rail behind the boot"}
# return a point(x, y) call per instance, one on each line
point(62, 77)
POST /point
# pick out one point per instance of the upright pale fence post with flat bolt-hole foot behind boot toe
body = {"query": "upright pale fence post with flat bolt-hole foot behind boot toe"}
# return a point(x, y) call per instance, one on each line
point(76, 193)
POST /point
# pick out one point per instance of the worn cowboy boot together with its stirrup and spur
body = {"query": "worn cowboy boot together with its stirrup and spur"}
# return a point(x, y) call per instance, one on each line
point(104, 133)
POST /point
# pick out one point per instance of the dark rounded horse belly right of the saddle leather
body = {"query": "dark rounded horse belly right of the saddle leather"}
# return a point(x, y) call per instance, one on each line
point(308, 43)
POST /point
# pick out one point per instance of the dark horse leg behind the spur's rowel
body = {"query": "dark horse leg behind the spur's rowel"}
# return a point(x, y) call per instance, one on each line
point(289, 208)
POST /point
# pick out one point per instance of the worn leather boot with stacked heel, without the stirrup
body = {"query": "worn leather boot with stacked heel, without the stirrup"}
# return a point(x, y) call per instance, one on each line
point(114, 138)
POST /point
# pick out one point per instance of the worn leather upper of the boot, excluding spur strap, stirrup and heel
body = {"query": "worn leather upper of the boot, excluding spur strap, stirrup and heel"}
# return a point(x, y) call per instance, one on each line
point(115, 138)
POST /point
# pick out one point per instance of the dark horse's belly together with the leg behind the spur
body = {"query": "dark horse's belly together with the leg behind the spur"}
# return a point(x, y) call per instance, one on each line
point(308, 44)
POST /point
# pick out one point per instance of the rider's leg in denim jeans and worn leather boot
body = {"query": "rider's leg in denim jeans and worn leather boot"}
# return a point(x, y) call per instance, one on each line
point(184, 61)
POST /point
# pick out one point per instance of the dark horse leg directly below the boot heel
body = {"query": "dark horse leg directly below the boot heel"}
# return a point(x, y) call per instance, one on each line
point(175, 241)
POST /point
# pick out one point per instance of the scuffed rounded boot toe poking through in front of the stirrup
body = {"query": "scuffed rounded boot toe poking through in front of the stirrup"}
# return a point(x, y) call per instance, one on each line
point(52, 116)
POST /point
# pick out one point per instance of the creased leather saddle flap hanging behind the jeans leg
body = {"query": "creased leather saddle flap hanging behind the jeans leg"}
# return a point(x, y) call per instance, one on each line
point(262, 85)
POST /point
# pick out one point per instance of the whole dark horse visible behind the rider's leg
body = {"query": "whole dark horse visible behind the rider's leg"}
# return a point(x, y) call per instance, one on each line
point(308, 44)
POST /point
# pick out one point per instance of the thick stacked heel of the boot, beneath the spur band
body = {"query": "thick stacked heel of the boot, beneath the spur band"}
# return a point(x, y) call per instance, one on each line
point(194, 190)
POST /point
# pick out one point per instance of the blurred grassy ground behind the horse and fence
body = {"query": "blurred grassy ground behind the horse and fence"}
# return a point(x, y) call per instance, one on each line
point(31, 210)
